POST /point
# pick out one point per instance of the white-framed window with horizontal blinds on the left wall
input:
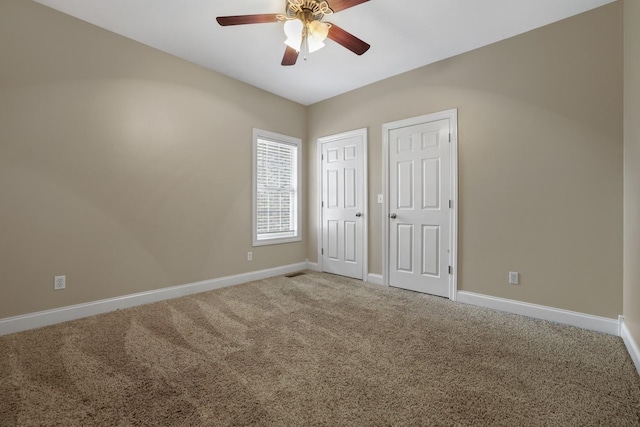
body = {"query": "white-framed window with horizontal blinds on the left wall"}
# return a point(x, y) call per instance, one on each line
point(276, 183)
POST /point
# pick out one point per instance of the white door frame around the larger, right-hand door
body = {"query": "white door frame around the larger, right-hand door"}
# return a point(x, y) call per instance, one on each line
point(452, 115)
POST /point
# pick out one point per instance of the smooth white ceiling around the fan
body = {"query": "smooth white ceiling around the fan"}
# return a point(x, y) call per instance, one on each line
point(404, 35)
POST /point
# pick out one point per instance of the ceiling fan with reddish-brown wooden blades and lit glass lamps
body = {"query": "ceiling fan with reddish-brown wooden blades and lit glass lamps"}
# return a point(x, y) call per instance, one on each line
point(304, 27)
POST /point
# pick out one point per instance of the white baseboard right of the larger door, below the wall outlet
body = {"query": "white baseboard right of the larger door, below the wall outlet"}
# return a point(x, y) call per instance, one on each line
point(581, 320)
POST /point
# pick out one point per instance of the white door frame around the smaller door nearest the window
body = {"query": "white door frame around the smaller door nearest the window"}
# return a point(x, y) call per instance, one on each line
point(363, 133)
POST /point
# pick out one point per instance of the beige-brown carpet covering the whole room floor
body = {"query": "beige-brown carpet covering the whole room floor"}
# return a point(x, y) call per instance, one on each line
point(315, 350)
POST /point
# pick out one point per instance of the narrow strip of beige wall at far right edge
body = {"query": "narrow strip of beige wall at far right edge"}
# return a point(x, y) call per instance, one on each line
point(632, 167)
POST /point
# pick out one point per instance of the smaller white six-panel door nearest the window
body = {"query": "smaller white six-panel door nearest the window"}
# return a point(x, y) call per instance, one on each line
point(343, 203)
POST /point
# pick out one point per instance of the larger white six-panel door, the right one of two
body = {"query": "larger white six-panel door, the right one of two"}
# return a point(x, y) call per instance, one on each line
point(419, 218)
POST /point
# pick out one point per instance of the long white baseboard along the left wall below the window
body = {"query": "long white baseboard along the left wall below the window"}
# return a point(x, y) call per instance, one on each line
point(10, 325)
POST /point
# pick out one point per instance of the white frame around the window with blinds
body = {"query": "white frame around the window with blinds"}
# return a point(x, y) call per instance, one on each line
point(259, 134)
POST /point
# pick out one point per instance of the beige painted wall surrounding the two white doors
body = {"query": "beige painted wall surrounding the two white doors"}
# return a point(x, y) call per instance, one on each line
point(540, 159)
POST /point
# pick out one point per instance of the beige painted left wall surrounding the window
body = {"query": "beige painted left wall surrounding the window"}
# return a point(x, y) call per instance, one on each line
point(121, 167)
